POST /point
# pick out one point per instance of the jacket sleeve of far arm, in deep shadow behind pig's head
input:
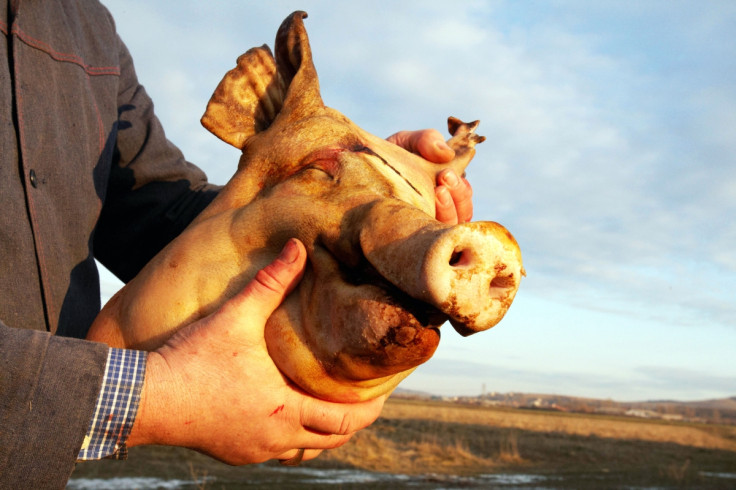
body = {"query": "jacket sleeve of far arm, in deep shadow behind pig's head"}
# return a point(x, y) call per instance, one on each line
point(153, 192)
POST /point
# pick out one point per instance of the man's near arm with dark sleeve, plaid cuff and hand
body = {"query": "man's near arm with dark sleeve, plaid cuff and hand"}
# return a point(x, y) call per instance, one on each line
point(212, 387)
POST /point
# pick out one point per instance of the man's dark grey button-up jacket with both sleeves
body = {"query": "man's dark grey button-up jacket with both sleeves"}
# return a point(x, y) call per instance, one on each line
point(85, 172)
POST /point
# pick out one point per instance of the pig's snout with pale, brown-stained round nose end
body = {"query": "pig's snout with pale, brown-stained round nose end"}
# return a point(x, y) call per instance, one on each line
point(470, 272)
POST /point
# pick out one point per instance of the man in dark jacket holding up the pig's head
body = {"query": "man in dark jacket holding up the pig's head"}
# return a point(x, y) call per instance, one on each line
point(86, 172)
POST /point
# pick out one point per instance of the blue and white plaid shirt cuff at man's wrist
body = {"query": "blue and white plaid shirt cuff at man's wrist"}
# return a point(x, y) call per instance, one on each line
point(117, 405)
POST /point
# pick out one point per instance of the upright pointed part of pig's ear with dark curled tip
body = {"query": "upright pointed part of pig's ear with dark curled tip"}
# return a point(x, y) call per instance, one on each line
point(294, 61)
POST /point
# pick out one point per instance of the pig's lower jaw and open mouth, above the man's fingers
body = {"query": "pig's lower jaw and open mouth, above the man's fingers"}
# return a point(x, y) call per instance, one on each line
point(347, 339)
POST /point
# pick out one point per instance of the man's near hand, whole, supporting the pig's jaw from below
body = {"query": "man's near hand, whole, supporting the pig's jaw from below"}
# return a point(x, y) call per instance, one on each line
point(214, 388)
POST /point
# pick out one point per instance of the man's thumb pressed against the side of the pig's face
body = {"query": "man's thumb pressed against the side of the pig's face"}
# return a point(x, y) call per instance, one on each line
point(261, 296)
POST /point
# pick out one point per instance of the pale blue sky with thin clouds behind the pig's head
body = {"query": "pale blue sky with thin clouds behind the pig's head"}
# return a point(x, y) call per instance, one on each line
point(610, 155)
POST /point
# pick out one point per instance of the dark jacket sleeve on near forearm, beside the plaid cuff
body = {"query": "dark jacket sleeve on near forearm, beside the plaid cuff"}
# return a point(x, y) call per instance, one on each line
point(48, 391)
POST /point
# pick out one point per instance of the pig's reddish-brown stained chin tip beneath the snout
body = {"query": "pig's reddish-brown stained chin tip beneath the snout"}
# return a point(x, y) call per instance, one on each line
point(368, 337)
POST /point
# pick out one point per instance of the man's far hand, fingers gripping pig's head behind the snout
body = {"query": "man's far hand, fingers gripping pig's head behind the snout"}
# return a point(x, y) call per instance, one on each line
point(453, 194)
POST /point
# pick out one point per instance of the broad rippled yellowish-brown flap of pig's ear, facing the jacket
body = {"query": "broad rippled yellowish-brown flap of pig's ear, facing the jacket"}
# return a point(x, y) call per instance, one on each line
point(247, 100)
